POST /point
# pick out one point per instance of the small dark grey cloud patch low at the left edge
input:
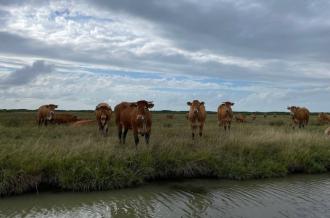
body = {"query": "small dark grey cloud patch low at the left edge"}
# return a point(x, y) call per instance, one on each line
point(27, 74)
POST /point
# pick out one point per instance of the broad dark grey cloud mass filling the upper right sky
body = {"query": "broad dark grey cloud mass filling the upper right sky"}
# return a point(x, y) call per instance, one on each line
point(270, 29)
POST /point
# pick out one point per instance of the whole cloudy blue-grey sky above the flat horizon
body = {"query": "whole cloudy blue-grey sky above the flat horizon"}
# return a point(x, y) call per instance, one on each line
point(261, 55)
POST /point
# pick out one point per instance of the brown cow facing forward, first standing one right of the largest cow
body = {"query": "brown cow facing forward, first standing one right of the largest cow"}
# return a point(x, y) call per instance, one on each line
point(196, 116)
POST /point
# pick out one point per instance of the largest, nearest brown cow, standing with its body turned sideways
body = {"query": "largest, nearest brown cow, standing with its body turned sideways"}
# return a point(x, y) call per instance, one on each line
point(135, 116)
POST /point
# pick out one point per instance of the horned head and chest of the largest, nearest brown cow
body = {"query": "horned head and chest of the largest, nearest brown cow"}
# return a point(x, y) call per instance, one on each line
point(142, 109)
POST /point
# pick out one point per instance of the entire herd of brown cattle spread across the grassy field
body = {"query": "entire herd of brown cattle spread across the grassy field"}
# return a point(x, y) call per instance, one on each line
point(137, 117)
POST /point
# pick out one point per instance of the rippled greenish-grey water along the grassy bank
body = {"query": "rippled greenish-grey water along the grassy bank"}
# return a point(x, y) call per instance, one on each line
point(295, 196)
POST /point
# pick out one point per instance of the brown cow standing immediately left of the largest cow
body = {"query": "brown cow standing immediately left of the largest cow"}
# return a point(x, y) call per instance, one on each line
point(103, 114)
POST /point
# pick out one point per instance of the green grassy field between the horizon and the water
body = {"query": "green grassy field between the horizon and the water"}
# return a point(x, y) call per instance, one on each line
point(79, 159)
